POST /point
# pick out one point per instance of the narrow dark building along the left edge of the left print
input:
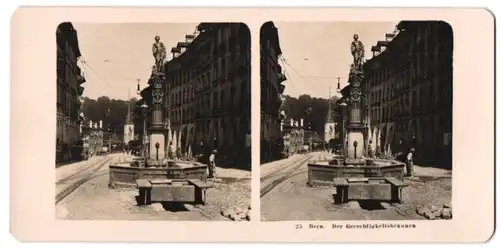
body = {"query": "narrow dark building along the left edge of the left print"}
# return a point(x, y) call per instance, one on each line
point(69, 91)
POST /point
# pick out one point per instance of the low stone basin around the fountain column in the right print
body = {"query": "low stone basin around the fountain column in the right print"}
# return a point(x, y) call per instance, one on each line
point(323, 173)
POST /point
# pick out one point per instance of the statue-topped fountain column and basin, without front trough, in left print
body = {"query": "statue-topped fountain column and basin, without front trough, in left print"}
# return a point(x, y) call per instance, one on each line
point(156, 166)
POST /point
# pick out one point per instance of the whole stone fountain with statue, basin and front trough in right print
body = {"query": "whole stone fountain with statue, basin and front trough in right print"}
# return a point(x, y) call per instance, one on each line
point(354, 175)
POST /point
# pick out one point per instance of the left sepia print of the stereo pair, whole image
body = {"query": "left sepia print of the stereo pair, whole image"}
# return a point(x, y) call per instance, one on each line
point(153, 121)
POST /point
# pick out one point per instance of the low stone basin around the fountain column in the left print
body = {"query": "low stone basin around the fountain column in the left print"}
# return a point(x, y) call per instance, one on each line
point(125, 175)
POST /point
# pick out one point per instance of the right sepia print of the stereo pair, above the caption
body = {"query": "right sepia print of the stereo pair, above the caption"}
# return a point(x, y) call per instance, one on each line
point(356, 120)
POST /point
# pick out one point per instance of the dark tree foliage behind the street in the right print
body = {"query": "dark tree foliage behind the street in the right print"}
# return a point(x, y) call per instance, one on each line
point(313, 110)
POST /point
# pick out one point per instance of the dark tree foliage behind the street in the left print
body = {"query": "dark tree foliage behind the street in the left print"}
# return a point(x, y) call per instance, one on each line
point(112, 112)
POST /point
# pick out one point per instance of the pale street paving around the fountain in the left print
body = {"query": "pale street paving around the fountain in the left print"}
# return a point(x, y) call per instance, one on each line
point(95, 201)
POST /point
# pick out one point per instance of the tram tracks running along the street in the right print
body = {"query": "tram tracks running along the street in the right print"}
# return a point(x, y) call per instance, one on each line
point(284, 176)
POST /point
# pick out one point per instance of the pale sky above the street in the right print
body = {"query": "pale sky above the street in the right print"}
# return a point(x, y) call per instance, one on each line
point(318, 53)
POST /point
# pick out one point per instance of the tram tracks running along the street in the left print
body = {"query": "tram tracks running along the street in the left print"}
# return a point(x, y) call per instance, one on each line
point(86, 175)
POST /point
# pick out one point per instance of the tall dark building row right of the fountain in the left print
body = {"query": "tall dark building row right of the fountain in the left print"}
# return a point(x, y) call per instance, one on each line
point(208, 93)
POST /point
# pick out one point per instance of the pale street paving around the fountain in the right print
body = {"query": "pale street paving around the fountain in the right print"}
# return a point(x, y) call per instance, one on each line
point(292, 199)
